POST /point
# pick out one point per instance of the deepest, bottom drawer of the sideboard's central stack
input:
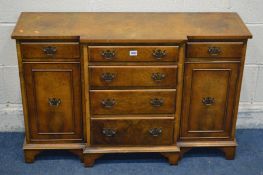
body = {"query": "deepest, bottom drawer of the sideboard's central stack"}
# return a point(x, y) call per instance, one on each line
point(137, 132)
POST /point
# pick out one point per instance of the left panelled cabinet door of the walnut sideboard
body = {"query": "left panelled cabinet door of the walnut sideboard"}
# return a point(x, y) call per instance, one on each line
point(54, 102)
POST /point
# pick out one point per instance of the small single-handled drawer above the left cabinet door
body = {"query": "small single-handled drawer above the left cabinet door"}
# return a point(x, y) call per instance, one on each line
point(50, 50)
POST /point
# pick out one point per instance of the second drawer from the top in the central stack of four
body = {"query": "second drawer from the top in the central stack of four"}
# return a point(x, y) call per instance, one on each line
point(133, 76)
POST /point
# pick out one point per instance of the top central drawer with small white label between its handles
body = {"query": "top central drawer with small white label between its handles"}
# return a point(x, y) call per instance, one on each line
point(133, 53)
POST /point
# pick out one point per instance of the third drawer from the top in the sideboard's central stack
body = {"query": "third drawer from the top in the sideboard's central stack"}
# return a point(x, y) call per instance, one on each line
point(132, 101)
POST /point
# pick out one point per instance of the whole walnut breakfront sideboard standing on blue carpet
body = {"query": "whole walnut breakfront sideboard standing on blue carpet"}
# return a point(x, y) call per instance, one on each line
point(97, 83)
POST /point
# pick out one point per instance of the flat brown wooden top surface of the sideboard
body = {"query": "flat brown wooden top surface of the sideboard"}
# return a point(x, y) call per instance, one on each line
point(129, 27)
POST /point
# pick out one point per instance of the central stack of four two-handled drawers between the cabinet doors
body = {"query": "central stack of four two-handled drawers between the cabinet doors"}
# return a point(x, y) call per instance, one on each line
point(132, 95)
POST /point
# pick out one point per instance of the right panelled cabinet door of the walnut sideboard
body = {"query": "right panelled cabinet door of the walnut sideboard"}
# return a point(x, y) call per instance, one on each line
point(209, 95)
